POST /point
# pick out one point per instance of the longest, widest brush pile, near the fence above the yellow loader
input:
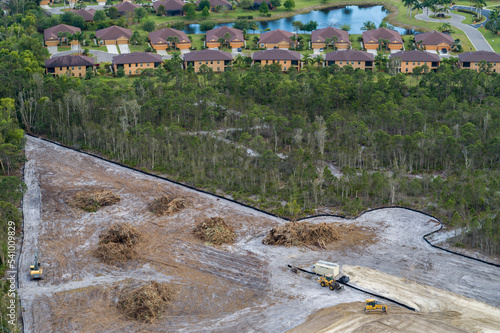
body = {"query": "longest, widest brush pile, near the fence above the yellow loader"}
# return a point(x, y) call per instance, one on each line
point(320, 234)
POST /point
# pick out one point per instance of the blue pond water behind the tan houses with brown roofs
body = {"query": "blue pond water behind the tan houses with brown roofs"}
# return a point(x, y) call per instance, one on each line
point(335, 17)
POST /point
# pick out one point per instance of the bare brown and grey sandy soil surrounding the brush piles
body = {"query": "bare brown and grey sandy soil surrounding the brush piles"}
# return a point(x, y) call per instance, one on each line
point(243, 287)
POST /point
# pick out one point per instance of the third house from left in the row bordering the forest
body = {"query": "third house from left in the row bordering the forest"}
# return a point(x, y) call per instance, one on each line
point(218, 61)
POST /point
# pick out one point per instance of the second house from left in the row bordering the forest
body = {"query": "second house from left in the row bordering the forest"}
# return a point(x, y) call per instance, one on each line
point(134, 63)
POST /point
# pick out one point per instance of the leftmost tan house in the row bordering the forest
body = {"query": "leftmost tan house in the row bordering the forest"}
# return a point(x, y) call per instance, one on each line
point(77, 65)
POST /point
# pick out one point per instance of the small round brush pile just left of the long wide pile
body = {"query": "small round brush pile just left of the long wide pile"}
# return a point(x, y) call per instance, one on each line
point(214, 230)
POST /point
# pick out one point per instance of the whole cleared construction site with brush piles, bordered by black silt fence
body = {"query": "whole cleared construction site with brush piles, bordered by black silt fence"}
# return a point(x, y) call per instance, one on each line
point(235, 283)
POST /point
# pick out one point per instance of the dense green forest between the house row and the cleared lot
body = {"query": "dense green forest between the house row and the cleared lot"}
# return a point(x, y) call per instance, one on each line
point(324, 140)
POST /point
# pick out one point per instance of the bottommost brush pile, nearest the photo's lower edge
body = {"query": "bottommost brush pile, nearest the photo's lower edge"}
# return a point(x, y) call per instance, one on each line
point(147, 302)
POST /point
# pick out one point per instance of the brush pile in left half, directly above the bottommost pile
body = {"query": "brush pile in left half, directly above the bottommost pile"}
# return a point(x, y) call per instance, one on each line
point(116, 245)
